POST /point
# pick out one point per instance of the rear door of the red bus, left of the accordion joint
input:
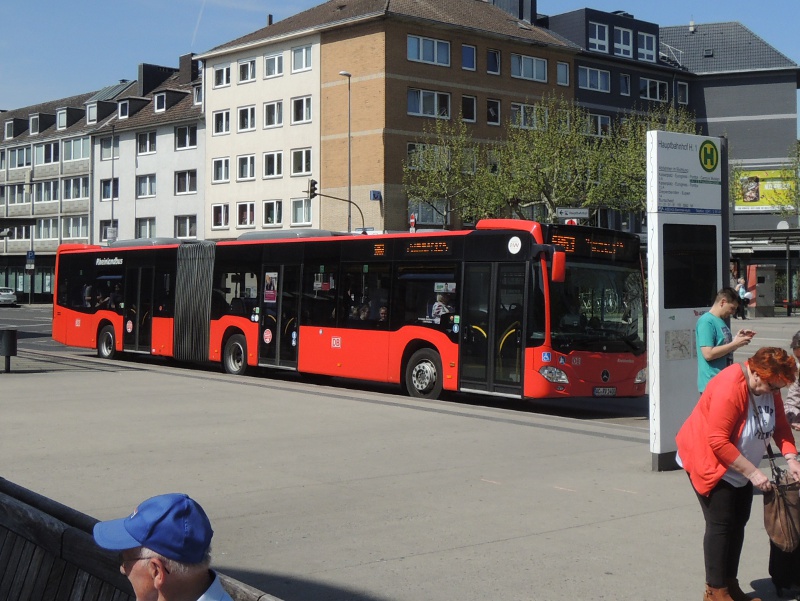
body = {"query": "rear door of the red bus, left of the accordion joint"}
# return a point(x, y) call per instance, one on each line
point(137, 313)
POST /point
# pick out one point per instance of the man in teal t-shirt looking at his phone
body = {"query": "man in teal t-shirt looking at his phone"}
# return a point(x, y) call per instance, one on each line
point(715, 344)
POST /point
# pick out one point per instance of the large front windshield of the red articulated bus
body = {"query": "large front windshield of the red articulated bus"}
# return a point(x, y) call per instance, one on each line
point(598, 308)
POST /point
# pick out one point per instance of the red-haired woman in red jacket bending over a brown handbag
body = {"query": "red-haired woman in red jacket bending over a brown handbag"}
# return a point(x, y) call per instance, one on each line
point(720, 446)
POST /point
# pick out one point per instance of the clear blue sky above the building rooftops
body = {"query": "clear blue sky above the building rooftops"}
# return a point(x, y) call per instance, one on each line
point(56, 48)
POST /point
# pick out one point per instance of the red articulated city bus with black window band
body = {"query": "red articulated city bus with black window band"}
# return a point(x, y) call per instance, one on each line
point(512, 308)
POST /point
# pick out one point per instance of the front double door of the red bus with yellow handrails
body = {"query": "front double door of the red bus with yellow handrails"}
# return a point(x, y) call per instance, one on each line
point(491, 328)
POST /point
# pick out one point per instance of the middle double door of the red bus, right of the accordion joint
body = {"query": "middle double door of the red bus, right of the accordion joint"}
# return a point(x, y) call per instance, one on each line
point(279, 316)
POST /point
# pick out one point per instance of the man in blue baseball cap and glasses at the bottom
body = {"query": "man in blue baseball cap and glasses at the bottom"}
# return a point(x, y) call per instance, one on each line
point(164, 550)
